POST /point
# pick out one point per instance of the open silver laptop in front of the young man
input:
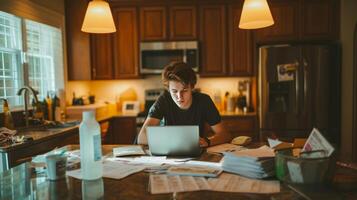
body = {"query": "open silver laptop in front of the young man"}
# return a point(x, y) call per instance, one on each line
point(174, 140)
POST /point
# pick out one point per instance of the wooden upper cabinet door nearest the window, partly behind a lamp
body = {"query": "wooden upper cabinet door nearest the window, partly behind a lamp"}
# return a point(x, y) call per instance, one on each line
point(78, 46)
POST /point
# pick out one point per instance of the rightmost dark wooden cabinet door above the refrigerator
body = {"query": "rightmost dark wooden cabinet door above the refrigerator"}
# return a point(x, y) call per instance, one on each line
point(320, 19)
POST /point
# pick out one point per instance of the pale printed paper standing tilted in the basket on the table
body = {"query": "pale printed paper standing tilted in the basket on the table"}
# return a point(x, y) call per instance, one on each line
point(317, 141)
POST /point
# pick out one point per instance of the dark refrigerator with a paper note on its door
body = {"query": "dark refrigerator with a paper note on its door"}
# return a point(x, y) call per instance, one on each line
point(299, 88)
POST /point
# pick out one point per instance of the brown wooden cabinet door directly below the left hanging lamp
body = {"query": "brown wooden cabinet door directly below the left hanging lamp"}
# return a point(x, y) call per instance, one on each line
point(102, 56)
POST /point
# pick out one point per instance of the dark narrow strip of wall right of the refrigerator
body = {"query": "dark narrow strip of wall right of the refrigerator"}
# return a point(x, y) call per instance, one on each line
point(348, 22)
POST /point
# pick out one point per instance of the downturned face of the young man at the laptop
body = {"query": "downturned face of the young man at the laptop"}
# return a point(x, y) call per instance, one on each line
point(181, 94)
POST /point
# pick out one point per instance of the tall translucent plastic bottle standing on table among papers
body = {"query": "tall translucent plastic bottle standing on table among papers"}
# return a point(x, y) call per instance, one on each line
point(90, 147)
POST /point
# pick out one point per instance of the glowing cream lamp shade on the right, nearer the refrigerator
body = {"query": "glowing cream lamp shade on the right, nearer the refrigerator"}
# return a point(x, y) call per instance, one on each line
point(255, 14)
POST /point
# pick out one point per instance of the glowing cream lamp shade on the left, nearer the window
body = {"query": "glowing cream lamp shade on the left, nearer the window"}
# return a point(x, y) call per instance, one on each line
point(98, 18)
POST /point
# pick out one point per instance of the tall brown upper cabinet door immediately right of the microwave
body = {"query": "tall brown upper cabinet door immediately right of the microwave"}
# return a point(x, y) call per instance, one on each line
point(213, 40)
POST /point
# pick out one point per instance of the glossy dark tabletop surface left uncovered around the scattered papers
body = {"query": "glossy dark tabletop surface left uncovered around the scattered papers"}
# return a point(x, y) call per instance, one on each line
point(21, 183)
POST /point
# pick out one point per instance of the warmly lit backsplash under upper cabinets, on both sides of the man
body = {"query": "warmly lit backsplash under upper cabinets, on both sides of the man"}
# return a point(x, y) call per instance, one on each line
point(112, 89)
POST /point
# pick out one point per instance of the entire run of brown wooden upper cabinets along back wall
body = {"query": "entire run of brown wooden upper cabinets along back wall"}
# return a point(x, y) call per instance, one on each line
point(225, 50)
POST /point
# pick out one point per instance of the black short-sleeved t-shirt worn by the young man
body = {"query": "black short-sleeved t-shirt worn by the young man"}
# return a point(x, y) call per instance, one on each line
point(202, 111)
